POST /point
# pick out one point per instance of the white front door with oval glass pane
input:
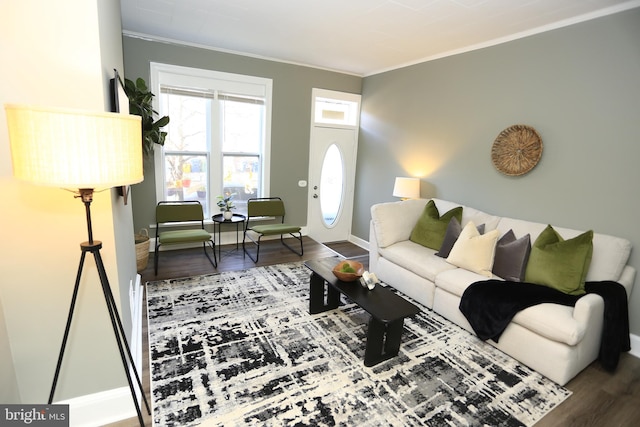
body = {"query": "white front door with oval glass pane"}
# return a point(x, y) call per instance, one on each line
point(332, 166)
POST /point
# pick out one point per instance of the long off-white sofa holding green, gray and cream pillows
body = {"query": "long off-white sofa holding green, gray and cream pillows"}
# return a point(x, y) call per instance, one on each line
point(556, 340)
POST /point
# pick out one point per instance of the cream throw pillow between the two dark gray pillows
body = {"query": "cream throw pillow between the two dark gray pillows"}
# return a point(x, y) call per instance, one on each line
point(474, 251)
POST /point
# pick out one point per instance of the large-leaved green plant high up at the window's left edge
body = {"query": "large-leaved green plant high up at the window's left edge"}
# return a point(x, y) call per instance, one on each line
point(141, 104)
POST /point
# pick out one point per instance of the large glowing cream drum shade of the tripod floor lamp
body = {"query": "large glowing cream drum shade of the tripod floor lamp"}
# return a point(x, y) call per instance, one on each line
point(74, 148)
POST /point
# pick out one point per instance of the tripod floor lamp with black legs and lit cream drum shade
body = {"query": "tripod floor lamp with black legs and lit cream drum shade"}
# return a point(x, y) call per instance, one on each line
point(82, 151)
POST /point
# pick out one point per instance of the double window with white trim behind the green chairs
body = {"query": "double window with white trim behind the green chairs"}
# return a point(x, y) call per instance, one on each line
point(217, 139)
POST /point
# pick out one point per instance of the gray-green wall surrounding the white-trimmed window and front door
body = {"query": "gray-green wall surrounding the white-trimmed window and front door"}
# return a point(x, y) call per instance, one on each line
point(290, 118)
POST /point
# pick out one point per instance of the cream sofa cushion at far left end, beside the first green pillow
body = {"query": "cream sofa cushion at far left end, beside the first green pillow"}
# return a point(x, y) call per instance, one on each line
point(393, 222)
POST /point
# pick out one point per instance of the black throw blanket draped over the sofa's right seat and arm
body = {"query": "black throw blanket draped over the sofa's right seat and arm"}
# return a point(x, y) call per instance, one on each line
point(490, 305)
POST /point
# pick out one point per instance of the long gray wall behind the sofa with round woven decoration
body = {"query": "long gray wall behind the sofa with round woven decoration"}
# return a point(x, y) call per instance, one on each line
point(577, 86)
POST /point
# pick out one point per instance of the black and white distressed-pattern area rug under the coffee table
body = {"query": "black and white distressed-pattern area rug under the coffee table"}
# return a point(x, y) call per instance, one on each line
point(240, 348)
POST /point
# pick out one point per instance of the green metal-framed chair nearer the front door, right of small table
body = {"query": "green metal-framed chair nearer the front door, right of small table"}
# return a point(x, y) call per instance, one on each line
point(265, 217)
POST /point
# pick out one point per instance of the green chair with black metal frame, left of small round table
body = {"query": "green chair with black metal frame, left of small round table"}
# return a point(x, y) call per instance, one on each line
point(188, 218)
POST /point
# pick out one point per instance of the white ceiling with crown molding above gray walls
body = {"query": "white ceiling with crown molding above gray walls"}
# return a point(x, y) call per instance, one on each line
point(361, 37)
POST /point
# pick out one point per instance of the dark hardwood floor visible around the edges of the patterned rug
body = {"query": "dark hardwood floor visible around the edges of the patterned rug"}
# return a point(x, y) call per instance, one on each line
point(599, 397)
